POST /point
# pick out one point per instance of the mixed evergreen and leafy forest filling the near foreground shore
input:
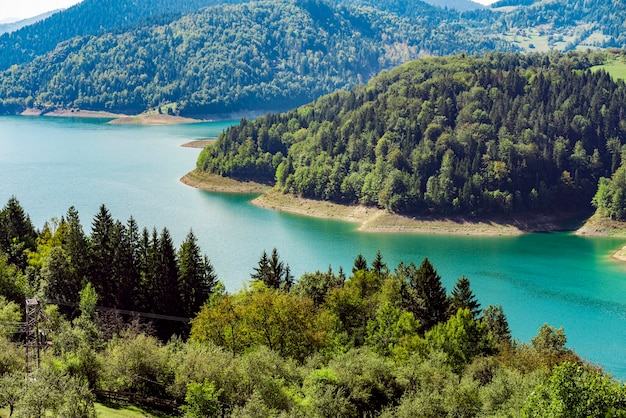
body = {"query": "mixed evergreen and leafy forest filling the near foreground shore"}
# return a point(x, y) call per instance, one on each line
point(379, 341)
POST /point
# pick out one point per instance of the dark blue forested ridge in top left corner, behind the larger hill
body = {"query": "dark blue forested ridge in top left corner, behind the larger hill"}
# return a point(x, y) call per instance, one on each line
point(91, 17)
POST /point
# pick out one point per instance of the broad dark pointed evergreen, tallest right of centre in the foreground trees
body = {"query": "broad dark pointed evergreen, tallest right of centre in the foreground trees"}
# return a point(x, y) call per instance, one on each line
point(423, 294)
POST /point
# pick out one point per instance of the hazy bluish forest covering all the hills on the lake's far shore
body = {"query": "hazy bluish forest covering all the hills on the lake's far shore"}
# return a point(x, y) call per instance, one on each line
point(212, 57)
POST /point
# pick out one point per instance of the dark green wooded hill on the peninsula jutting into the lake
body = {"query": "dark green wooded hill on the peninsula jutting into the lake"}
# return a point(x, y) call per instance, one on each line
point(507, 133)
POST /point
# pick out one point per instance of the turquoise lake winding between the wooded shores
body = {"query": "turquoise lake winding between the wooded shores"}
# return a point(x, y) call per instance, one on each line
point(561, 279)
